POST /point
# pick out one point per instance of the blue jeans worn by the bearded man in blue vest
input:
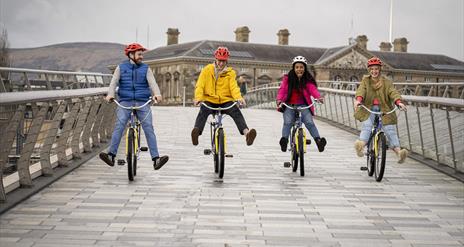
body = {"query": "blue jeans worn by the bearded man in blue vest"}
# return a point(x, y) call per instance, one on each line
point(145, 116)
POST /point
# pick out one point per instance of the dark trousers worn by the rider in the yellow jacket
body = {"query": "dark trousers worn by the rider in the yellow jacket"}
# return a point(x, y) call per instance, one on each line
point(233, 112)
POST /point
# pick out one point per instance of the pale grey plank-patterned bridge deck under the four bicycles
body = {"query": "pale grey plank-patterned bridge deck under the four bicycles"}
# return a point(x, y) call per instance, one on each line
point(258, 203)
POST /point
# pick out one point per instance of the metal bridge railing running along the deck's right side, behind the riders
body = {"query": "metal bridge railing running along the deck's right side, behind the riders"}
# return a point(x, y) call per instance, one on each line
point(433, 127)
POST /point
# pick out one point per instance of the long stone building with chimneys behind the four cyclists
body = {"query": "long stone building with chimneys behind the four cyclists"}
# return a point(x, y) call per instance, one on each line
point(177, 65)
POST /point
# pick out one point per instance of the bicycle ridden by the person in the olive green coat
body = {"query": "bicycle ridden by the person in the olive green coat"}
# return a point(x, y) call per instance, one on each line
point(376, 146)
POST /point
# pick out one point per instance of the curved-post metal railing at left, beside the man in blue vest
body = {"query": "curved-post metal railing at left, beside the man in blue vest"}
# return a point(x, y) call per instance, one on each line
point(41, 130)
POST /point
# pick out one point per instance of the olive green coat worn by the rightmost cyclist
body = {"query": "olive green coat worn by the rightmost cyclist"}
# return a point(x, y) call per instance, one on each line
point(386, 93)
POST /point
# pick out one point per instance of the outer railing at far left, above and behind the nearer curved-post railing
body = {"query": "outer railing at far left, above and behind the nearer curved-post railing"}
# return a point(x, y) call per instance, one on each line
point(18, 79)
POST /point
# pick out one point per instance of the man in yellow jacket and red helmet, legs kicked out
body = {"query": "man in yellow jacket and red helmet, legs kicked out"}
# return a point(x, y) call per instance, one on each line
point(217, 87)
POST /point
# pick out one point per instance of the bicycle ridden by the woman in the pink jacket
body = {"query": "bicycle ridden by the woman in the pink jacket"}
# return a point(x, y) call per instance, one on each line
point(298, 141)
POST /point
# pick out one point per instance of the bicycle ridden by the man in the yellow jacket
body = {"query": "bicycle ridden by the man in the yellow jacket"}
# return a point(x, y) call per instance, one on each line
point(218, 139)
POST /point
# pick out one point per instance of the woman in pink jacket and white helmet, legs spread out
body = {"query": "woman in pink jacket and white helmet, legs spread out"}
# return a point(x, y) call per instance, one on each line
point(296, 89)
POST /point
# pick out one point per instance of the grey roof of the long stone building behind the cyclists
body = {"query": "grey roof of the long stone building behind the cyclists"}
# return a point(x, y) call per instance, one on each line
point(245, 51)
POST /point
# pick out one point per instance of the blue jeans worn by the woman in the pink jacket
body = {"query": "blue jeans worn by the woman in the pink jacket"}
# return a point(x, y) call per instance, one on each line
point(306, 118)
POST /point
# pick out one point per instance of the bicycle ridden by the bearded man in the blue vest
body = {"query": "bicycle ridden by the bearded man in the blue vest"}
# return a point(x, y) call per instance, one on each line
point(133, 147)
